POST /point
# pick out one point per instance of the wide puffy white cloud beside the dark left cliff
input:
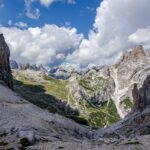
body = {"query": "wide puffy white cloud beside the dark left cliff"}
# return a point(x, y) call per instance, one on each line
point(48, 45)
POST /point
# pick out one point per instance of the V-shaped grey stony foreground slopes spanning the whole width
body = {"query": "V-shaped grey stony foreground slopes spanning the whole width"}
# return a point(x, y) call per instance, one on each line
point(23, 125)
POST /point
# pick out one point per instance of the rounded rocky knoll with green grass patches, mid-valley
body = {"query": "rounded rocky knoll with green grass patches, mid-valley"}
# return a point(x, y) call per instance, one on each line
point(95, 86)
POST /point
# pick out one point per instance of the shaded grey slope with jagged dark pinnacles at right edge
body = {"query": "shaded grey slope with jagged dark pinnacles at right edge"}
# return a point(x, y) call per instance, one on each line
point(137, 122)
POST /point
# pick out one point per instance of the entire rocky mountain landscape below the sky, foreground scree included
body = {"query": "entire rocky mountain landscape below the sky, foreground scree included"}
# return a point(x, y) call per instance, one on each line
point(104, 107)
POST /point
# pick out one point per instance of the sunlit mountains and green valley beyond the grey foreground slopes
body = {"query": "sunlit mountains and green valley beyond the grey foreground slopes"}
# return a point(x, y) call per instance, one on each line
point(91, 91)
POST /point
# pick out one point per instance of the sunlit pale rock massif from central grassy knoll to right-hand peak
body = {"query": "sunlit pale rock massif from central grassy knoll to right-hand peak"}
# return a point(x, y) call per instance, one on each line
point(133, 67)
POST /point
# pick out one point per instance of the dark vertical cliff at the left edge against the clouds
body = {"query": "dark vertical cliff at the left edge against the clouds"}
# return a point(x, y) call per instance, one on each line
point(5, 71)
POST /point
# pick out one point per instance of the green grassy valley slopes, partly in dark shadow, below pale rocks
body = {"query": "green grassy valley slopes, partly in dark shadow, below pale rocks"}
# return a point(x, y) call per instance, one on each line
point(42, 94)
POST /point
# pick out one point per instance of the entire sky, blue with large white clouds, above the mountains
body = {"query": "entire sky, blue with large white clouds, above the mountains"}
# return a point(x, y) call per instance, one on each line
point(80, 32)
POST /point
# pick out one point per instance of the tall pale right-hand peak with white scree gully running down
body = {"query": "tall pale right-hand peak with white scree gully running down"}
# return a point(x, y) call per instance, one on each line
point(133, 67)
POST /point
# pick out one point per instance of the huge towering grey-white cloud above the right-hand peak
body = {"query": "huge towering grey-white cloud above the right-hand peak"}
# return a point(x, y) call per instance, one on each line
point(115, 21)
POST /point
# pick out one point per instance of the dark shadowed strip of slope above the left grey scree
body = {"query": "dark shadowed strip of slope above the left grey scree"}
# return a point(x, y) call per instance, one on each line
point(36, 94)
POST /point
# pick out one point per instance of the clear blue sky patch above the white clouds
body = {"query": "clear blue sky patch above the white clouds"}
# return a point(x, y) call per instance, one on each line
point(80, 15)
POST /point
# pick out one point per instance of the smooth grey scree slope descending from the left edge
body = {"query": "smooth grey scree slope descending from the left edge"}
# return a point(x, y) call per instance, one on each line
point(21, 122)
